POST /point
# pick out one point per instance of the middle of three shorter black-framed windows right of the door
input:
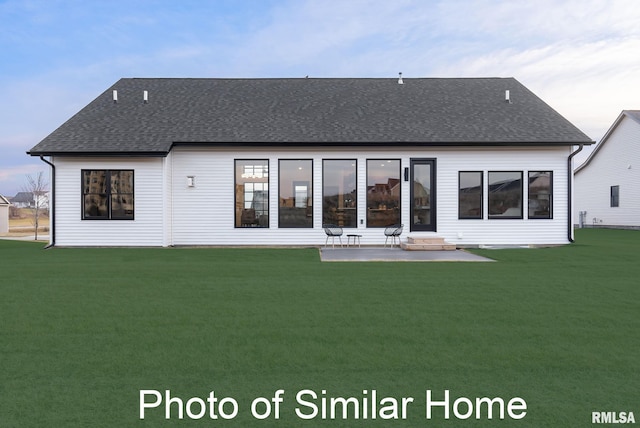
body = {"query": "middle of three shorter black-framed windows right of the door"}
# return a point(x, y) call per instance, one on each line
point(505, 194)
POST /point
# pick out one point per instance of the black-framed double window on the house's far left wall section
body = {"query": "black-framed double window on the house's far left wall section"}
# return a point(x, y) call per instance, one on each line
point(107, 195)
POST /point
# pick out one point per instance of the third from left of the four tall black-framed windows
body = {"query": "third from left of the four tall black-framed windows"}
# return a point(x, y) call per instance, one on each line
point(339, 195)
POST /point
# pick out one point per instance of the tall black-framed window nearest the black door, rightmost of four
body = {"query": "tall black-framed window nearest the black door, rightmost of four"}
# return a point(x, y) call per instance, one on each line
point(383, 192)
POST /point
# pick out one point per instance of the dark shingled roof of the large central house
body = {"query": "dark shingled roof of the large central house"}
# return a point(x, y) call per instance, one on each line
point(466, 111)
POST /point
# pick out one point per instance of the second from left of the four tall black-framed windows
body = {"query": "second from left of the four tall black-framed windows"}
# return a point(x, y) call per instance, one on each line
point(295, 202)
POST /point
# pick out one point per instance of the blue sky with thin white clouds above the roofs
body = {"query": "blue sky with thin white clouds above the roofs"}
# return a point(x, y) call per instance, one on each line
point(581, 57)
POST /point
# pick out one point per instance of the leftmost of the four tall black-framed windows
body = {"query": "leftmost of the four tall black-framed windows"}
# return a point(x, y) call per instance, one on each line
point(252, 193)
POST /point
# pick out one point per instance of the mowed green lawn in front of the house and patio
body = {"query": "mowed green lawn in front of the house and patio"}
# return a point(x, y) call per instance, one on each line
point(82, 331)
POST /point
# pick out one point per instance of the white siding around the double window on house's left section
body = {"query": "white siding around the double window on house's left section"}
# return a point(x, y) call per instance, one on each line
point(145, 230)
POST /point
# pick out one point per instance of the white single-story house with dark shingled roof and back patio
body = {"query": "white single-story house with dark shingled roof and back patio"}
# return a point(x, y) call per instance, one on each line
point(175, 161)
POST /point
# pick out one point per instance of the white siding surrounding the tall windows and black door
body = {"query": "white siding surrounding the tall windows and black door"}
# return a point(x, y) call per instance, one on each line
point(204, 214)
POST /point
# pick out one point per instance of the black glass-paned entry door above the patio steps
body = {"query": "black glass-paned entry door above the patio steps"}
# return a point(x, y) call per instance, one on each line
point(423, 194)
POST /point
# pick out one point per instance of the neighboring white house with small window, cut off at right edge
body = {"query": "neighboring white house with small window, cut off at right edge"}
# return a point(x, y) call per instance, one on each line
point(607, 184)
